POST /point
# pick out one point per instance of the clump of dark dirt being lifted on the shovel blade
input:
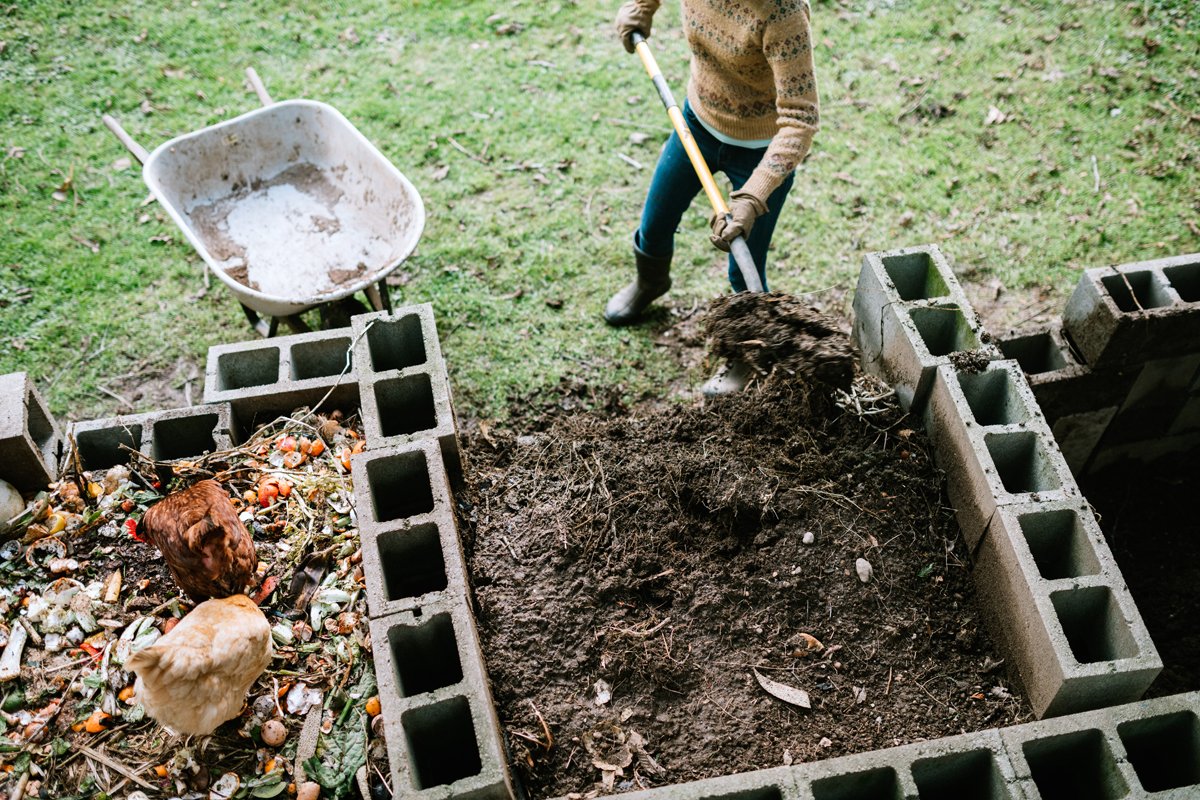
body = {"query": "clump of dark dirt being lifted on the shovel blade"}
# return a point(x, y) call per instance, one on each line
point(770, 330)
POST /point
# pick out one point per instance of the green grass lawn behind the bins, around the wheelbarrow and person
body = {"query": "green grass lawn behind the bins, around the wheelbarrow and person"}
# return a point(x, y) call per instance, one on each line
point(549, 216)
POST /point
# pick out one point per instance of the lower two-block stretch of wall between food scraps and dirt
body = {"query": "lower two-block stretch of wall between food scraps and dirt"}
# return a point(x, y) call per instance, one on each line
point(443, 736)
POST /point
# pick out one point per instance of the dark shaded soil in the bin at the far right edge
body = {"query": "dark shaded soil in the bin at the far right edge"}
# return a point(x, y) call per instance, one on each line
point(1151, 527)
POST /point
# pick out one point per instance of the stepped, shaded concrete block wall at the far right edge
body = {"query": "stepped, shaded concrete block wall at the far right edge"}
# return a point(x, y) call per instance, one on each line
point(1119, 381)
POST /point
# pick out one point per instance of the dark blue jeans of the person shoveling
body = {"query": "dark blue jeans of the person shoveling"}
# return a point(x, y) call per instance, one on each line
point(675, 185)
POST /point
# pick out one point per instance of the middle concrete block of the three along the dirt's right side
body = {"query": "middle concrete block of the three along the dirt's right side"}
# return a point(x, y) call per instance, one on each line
point(993, 444)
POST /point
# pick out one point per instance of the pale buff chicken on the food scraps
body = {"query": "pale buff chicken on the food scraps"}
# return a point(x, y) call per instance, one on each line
point(197, 676)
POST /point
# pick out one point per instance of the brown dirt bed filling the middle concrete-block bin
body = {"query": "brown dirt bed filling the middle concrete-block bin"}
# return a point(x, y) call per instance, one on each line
point(637, 572)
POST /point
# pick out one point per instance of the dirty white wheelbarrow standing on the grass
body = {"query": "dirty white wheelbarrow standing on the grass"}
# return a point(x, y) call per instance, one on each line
point(290, 206)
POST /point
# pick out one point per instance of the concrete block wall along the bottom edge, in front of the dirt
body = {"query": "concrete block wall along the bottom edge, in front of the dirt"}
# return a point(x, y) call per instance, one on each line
point(1139, 750)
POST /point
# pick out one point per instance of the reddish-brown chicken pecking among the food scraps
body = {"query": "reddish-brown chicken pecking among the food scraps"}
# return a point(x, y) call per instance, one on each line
point(205, 544)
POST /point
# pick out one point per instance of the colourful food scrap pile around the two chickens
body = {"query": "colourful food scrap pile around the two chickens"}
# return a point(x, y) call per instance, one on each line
point(80, 597)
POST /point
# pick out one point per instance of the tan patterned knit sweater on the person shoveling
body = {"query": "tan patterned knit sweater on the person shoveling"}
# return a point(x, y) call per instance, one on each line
point(752, 77)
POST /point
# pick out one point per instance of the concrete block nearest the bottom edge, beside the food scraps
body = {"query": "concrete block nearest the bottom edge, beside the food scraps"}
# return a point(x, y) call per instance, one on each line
point(443, 737)
